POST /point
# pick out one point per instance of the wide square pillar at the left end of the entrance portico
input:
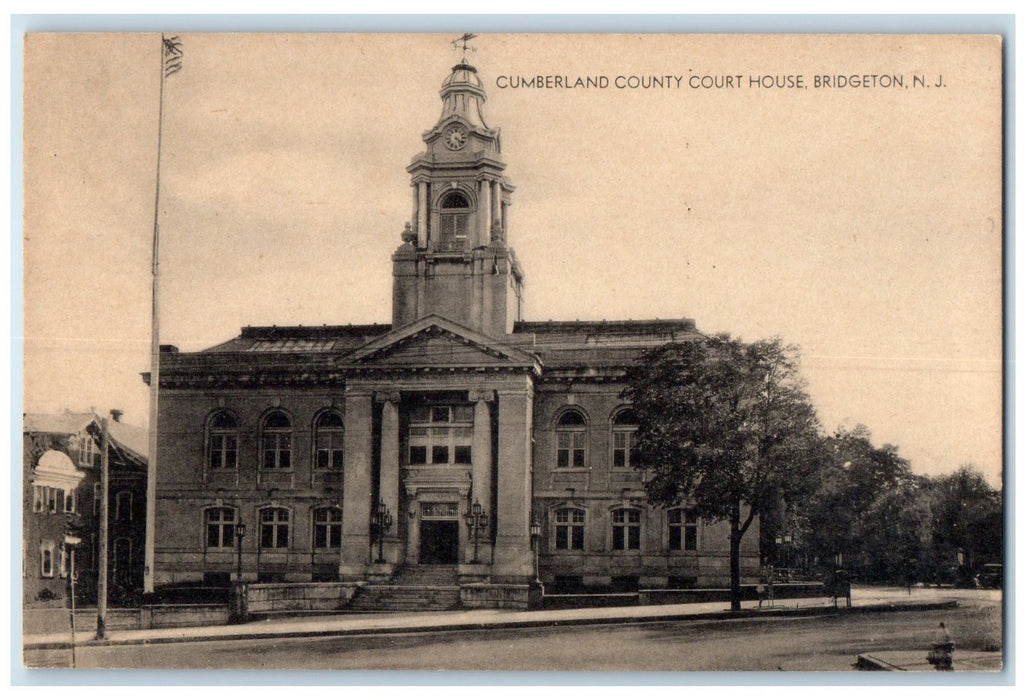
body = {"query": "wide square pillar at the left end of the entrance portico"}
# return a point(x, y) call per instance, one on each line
point(358, 487)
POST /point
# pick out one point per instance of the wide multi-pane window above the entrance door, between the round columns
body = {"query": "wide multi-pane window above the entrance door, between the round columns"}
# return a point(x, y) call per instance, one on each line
point(442, 435)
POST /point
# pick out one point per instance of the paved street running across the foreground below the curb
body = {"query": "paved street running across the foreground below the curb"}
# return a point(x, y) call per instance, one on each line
point(815, 643)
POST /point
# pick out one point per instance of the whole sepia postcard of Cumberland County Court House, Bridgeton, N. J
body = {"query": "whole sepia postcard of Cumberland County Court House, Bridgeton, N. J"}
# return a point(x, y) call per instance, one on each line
point(514, 353)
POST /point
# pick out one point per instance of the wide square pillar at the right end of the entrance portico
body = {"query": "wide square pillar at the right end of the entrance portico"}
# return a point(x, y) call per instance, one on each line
point(512, 561)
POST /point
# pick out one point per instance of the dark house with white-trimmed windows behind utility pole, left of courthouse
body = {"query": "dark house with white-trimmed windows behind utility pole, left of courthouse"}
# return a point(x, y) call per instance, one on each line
point(61, 468)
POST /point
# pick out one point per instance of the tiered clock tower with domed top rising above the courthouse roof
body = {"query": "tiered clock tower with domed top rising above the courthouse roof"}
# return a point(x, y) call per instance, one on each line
point(455, 261)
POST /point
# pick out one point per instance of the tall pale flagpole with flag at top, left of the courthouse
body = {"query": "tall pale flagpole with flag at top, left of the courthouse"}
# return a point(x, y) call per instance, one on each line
point(151, 481)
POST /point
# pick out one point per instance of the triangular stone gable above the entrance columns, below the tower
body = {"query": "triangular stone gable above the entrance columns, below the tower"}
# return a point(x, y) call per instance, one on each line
point(438, 342)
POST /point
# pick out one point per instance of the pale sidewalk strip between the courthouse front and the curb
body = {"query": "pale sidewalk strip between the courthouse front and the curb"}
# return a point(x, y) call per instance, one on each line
point(347, 625)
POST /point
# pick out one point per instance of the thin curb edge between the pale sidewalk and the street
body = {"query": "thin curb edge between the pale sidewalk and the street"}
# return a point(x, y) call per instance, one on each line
point(526, 625)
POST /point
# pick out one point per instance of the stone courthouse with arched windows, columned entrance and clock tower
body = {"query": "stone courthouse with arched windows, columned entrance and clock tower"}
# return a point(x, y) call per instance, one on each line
point(354, 452)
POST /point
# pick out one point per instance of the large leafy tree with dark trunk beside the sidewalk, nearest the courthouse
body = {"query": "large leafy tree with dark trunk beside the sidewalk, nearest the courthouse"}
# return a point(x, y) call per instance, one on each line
point(726, 425)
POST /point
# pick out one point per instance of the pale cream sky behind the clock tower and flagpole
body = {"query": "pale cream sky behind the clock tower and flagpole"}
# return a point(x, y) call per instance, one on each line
point(862, 224)
